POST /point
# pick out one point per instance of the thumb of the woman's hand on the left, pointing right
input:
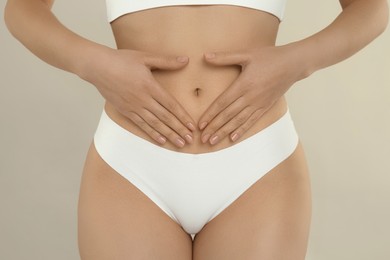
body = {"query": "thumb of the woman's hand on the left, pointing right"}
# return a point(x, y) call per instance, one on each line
point(153, 61)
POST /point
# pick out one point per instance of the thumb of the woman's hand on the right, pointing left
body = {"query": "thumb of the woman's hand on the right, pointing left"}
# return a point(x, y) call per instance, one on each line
point(227, 58)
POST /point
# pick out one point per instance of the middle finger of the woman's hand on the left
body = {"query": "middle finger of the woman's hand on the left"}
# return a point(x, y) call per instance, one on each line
point(171, 121)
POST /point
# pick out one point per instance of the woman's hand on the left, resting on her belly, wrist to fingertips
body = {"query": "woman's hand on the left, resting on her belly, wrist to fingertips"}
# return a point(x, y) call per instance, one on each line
point(124, 78)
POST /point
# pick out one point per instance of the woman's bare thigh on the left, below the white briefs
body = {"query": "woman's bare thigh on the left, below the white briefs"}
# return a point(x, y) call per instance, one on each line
point(117, 221)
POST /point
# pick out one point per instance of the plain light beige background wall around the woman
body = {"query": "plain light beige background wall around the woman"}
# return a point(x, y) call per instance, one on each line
point(48, 118)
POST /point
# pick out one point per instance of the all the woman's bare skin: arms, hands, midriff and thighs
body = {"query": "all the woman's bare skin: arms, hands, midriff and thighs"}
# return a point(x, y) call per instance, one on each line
point(240, 91)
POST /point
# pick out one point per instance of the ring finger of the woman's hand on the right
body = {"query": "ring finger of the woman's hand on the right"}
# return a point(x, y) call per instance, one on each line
point(232, 125)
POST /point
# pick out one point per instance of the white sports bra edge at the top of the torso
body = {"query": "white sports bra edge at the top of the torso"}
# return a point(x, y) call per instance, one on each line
point(116, 8)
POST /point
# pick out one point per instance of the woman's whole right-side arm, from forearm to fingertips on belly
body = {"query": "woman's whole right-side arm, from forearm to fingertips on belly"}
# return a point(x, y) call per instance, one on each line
point(267, 73)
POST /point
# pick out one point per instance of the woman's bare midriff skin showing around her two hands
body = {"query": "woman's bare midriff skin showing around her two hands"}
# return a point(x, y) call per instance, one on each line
point(192, 31)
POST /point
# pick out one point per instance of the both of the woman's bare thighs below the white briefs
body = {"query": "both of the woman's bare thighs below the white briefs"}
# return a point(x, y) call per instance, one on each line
point(269, 221)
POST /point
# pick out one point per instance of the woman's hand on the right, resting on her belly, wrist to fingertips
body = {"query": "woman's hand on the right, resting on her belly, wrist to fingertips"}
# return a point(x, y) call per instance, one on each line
point(267, 73)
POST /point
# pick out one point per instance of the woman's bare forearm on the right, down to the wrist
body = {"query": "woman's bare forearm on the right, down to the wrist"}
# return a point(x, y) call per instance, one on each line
point(360, 22)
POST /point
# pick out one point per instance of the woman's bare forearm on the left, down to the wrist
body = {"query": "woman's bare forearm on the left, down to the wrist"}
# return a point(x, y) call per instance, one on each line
point(34, 25)
